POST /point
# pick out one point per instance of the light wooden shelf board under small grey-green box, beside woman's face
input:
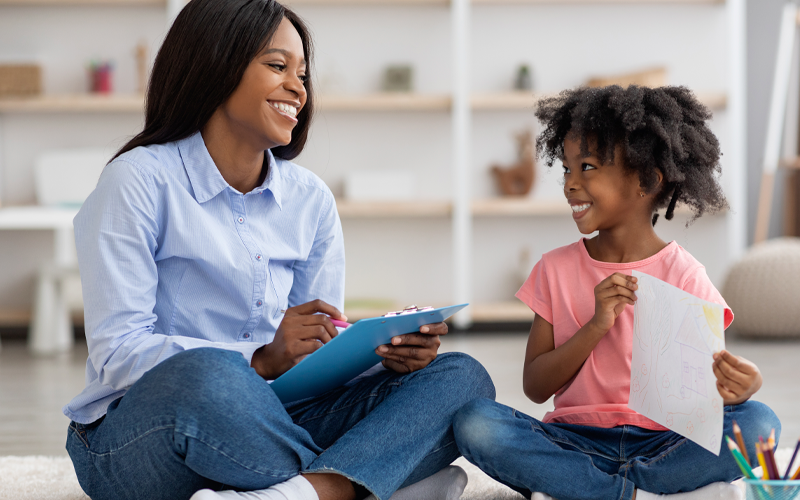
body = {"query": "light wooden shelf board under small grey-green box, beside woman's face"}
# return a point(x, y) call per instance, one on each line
point(385, 101)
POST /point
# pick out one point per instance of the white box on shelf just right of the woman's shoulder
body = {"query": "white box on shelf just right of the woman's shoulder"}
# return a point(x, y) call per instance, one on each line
point(379, 185)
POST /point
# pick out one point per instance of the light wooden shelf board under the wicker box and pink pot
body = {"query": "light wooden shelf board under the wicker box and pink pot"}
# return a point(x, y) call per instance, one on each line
point(92, 103)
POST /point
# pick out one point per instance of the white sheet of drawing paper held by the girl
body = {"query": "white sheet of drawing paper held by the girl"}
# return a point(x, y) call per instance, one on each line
point(672, 380)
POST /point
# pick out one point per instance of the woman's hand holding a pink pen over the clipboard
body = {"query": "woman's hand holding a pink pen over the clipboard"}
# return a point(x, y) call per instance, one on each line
point(301, 332)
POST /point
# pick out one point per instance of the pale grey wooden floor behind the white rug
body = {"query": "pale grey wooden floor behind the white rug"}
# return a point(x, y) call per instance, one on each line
point(33, 390)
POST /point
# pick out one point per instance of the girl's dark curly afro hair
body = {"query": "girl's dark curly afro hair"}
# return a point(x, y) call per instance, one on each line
point(660, 128)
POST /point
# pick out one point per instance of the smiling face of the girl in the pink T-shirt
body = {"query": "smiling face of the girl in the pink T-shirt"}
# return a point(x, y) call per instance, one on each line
point(602, 196)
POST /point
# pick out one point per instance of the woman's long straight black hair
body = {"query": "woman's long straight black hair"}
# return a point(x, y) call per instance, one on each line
point(202, 61)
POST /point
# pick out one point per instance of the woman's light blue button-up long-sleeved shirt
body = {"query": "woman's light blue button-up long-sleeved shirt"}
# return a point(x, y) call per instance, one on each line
point(173, 258)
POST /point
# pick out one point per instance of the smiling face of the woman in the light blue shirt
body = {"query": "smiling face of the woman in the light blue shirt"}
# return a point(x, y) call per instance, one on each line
point(271, 94)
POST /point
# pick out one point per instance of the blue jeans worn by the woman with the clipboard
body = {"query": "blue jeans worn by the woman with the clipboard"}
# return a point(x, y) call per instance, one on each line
point(205, 419)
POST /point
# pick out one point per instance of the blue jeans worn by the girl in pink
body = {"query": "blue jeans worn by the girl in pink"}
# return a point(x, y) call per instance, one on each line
point(575, 462)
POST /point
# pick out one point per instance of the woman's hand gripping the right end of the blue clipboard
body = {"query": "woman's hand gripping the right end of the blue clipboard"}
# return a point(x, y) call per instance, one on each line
point(413, 351)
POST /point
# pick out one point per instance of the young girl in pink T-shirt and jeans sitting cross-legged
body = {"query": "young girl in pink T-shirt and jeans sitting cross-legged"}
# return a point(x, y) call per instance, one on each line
point(626, 153)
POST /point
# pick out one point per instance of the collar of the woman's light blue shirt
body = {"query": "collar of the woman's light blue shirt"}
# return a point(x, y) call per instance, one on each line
point(207, 182)
